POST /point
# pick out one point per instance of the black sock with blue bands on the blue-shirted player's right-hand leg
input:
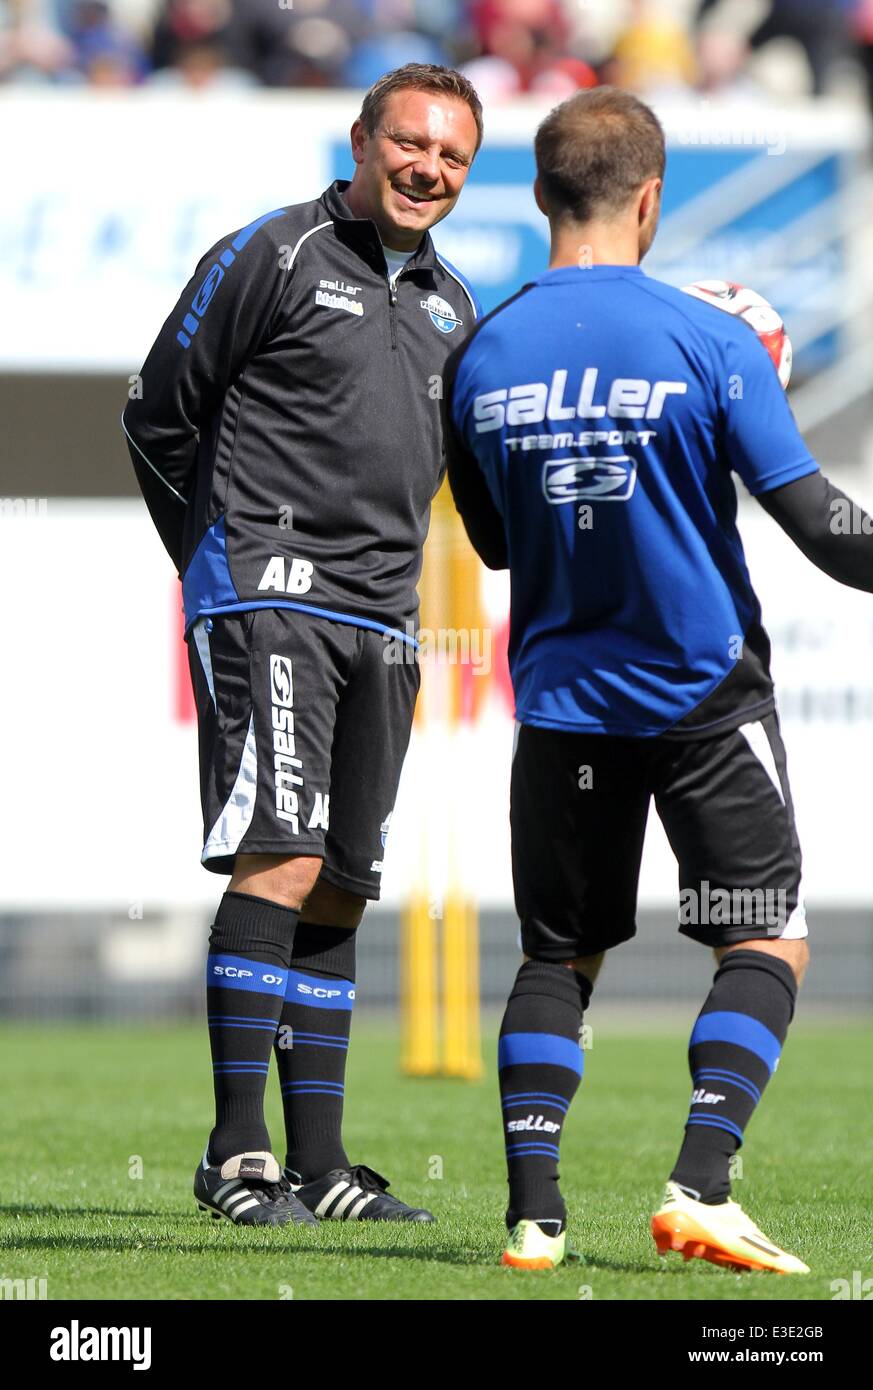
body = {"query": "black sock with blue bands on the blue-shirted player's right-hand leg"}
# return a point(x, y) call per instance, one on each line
point(735, 1050)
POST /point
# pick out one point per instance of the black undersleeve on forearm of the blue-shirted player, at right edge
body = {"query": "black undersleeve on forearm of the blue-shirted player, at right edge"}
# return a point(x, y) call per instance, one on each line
point(828, 528)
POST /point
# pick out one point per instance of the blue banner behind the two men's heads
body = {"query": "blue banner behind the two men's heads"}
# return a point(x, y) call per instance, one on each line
point(760, 216)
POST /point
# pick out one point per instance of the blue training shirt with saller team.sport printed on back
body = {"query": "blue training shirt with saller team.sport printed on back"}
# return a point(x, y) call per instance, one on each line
point(605, 414)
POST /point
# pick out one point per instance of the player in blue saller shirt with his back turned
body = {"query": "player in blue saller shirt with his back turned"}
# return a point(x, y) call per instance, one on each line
point(593, 423)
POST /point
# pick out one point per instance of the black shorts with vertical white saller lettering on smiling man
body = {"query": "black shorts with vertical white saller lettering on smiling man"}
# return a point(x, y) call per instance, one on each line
point(304, 729)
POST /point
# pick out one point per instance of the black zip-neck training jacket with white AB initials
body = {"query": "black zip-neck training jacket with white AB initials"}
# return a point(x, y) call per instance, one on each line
point(286, 426)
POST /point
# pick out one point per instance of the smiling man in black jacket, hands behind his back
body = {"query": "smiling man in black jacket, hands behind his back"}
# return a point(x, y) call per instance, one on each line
point(286, 434)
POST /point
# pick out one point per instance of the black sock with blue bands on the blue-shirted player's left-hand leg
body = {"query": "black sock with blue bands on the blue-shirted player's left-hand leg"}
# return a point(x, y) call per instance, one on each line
point(540, 1064)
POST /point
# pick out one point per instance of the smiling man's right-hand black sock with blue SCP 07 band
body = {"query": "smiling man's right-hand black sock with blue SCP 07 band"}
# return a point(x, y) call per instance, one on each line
point(312, 1046)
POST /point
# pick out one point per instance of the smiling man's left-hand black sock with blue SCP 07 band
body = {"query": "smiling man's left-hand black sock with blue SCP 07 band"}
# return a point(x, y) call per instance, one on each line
point(247, 976)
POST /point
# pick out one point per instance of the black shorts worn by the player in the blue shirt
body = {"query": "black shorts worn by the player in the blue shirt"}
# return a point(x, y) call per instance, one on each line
point(579, 812)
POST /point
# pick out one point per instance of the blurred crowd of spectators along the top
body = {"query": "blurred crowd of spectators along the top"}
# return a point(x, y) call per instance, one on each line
point(657, 48)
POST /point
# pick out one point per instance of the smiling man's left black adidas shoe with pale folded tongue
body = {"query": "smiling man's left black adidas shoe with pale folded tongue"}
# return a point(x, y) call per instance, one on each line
point(250, 1189)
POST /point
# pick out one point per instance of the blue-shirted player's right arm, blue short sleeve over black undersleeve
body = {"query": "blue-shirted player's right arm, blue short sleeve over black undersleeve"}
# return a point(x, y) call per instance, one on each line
point(768, 451)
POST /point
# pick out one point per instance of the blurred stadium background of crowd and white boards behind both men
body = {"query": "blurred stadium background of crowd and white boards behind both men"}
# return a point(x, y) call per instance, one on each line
point(137, 136)
